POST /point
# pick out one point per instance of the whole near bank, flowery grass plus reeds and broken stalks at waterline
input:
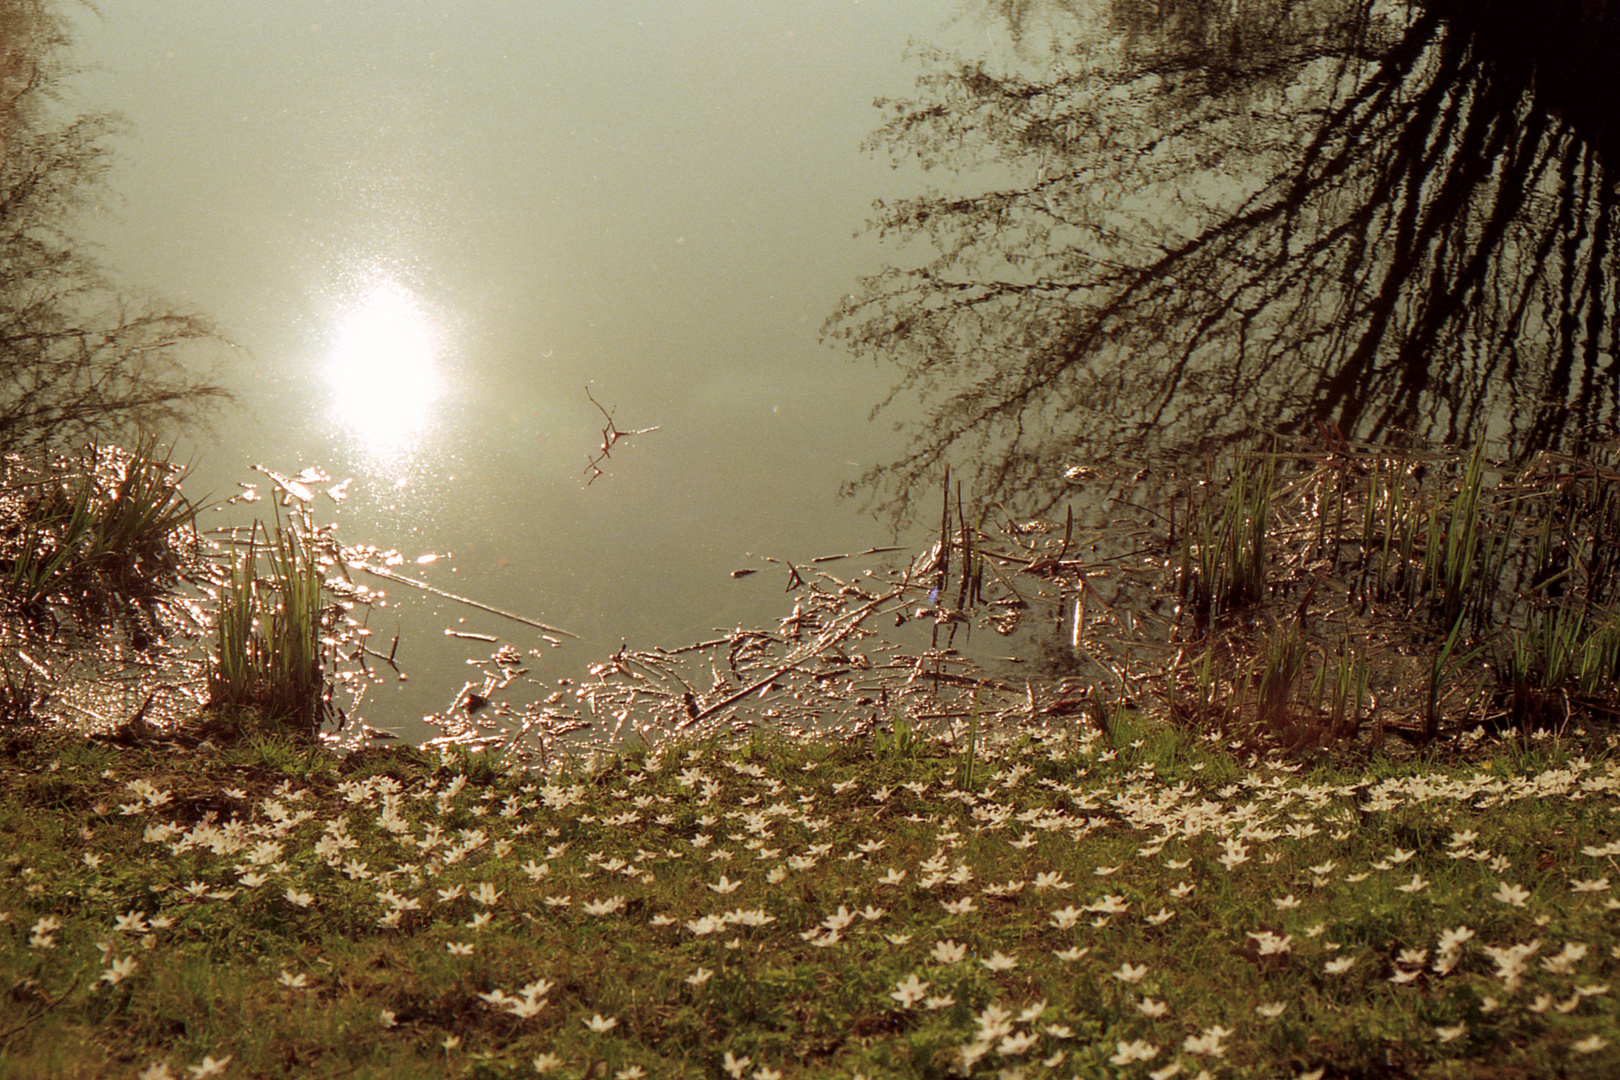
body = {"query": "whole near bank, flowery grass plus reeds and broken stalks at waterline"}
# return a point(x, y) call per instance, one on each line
point(1170, 836)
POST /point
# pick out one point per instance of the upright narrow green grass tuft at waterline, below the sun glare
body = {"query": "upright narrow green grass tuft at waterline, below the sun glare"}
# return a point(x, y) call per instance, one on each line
point(275, 631)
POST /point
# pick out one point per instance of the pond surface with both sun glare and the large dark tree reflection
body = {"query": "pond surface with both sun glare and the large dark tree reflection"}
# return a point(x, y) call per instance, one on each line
point(540, 291)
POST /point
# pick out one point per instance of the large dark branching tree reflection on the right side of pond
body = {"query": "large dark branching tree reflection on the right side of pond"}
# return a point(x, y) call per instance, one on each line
point(1185, 221)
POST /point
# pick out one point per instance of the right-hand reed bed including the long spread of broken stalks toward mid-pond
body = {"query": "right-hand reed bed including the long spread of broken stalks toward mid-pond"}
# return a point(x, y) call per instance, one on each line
point(1305, 600)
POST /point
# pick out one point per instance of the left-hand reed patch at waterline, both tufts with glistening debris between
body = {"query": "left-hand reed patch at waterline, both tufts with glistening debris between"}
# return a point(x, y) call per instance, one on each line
point(104, 540)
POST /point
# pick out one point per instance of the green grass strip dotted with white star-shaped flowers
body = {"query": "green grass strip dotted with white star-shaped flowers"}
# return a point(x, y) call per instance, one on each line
point(811, 909)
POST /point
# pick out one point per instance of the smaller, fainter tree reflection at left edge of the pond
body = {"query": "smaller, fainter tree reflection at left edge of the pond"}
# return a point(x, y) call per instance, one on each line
point(80, 359)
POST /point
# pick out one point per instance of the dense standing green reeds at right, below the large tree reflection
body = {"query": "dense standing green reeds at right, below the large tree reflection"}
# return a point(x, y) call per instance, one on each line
point(1467, 592)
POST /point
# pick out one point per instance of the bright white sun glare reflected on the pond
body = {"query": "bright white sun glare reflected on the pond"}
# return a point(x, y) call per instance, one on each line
point(383, 367)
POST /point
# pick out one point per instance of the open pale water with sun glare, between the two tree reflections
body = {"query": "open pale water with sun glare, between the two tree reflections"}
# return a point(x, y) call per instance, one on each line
point(441, 234)
